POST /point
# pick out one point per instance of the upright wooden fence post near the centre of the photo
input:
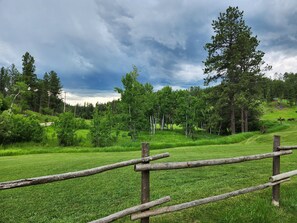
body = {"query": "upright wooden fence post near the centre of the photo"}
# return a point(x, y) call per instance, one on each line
point(145, 180)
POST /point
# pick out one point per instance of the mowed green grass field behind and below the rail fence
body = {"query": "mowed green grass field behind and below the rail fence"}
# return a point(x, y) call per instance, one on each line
point(89, 198)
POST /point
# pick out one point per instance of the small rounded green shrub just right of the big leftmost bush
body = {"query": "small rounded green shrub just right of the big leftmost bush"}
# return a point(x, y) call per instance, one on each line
point(65, 129)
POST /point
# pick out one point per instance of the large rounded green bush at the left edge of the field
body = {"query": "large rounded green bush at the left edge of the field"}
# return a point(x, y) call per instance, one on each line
point(18, 128)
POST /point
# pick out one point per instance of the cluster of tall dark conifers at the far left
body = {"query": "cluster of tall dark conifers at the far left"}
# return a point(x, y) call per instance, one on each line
point(23, 90)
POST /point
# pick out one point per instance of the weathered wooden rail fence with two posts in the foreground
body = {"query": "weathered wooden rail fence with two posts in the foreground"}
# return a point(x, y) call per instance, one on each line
point(143, 164)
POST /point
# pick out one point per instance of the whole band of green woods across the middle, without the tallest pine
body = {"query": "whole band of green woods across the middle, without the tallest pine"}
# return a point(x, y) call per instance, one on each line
point(140, 109)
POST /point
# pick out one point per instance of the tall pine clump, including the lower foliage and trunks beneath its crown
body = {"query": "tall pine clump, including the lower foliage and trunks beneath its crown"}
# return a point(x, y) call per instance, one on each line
point(234, 59)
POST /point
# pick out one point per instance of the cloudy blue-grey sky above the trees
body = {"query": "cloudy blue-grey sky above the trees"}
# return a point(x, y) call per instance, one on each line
point(91, 44)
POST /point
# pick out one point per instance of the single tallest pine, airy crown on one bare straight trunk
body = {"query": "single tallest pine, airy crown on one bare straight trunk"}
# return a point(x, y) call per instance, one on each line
point(232, 57)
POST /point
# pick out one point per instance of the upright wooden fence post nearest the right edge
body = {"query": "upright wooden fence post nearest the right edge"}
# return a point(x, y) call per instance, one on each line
point(275, 171)
